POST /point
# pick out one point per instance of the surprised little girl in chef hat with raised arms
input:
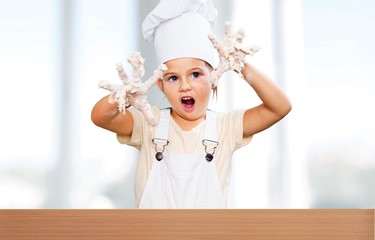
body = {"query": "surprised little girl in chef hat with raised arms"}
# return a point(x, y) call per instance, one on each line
point(185, 158)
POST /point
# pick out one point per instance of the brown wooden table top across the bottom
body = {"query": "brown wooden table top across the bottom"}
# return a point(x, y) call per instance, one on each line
point(187, 224)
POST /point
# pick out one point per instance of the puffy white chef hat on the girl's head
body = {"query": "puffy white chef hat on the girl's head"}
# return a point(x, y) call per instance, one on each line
point(180, 28)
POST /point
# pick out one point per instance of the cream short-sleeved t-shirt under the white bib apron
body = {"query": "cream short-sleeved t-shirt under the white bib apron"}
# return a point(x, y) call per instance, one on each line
point(230, 138)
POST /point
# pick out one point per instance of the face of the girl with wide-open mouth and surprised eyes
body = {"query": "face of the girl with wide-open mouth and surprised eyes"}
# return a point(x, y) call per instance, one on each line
point(187, 86)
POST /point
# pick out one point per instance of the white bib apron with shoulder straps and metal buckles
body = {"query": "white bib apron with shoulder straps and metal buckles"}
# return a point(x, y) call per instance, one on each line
point(183, 181)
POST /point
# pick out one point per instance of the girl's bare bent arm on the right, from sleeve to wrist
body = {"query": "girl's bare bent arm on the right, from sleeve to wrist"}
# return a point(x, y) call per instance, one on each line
point(274, 107)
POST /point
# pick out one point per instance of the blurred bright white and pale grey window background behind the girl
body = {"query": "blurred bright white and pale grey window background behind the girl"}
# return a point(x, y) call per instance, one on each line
point(321, 53)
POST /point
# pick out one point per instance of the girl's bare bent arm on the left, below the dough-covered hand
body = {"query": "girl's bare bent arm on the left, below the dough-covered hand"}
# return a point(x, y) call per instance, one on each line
point(106, 115)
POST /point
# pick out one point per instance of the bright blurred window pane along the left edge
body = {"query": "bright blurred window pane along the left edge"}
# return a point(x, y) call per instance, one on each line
point(27, 105)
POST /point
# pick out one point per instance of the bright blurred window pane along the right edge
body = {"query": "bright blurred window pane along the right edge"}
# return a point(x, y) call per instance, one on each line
point(340, 71)
